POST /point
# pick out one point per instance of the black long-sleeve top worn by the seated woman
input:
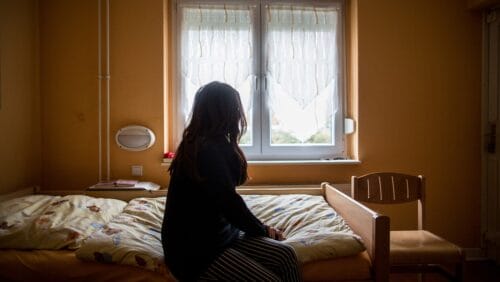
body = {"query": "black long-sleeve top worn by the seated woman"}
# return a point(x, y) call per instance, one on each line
point(203, 218)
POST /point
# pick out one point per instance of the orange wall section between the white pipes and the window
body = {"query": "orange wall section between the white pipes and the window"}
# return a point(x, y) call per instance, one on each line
point(137, 83)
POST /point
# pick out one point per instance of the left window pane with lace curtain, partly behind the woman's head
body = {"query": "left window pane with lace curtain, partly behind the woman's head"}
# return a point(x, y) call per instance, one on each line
point(217, 44)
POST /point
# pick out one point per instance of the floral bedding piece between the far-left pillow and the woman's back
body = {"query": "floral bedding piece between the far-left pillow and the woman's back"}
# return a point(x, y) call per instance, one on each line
point(132, 238)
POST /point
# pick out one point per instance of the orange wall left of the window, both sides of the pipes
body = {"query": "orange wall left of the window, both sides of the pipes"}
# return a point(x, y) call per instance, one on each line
point(69, 68)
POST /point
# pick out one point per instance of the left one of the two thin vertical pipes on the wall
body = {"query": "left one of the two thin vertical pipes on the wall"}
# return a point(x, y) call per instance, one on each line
point(99, 81)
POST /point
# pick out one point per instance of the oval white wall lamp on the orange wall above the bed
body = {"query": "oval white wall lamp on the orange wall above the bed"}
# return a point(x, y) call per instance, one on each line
point(135, 138)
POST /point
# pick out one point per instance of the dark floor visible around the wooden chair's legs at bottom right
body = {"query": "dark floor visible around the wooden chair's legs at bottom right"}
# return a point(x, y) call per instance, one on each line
point(474, 271)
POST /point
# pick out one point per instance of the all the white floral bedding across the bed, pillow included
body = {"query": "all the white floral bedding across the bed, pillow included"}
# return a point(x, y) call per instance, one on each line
point(112, 231)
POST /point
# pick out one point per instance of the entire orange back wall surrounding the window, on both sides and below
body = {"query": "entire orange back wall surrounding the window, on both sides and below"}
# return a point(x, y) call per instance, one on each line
point(418, 100)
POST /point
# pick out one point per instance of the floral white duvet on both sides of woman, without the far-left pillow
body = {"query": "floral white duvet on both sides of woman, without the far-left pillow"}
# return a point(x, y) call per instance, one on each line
point(311, 226)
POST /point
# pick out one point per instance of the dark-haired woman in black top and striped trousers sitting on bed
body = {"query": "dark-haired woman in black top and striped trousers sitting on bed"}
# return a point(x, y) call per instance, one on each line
point(208, 232)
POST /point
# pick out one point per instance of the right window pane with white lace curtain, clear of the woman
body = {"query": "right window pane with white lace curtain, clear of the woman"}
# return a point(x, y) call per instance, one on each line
point(302, 72)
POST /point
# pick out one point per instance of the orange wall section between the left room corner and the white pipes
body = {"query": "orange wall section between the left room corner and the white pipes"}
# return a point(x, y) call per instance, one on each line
point(68, 71)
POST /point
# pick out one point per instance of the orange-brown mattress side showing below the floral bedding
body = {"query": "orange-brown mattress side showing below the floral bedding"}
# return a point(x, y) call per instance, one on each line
point(62, 265)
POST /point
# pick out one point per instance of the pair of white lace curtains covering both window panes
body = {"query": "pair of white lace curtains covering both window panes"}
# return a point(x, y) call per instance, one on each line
point(300, 61)
